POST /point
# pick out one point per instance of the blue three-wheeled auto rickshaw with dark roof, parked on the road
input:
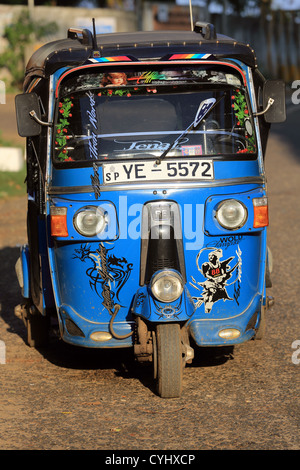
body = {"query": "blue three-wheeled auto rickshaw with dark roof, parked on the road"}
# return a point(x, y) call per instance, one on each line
point(147, 203)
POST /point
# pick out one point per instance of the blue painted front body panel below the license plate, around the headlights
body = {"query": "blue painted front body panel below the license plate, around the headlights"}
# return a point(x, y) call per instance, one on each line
point(76, 264)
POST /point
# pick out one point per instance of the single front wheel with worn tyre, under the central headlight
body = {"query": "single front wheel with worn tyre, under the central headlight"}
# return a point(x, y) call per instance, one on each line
point(168, 360)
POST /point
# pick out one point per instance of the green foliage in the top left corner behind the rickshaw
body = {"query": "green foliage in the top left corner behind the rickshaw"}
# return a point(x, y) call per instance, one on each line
point(19, 35)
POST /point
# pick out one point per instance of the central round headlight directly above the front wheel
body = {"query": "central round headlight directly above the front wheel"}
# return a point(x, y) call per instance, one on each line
point(167, 285)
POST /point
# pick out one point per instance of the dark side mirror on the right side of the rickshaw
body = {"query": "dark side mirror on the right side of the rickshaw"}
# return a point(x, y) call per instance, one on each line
point(274, 90)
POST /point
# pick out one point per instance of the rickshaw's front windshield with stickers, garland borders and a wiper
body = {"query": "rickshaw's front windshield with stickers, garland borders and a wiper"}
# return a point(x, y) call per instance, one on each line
point(128, 114)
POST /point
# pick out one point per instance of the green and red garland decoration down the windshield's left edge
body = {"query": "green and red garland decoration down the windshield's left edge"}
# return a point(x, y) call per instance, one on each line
point(61, 139)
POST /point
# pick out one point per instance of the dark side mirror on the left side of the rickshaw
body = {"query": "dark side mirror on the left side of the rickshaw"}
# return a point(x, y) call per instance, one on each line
point(25, 104)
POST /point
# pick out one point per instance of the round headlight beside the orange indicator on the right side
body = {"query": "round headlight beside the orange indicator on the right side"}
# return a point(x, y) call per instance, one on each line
point(231, 214)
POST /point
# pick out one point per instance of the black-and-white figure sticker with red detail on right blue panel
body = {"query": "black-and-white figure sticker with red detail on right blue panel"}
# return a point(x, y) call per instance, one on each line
point(219, 274)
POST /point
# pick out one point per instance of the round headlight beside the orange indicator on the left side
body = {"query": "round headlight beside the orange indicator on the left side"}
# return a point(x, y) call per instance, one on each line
point(89, 221)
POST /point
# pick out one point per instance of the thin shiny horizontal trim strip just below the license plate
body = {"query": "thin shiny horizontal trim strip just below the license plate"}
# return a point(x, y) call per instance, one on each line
point(52, 190)
